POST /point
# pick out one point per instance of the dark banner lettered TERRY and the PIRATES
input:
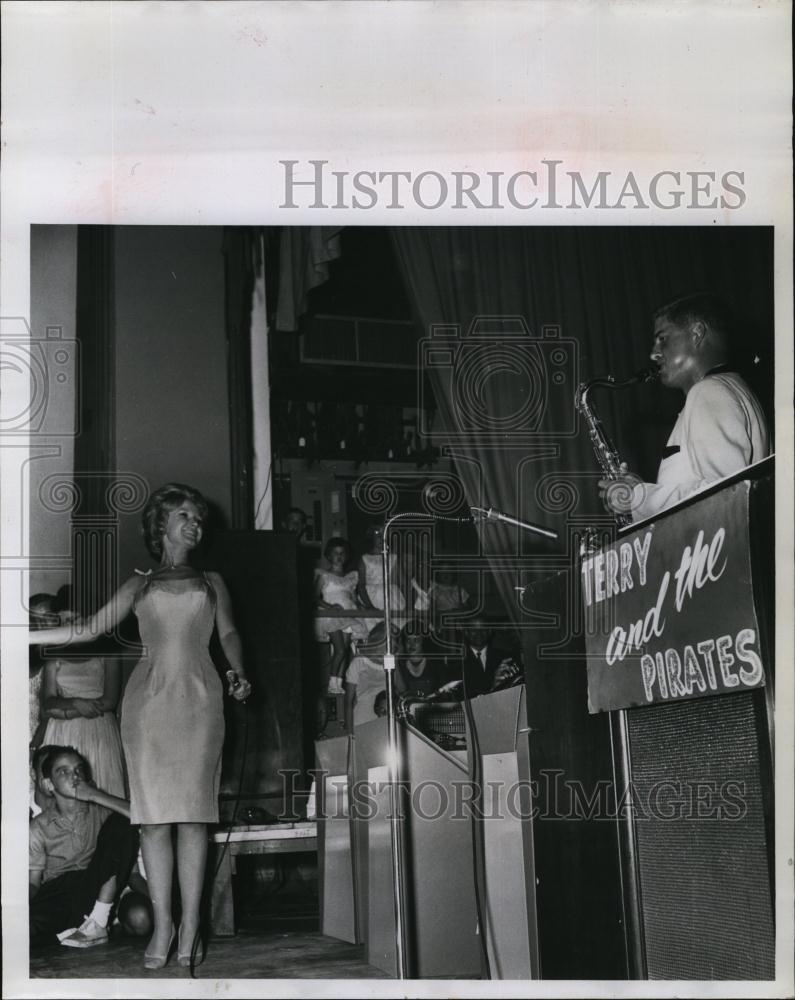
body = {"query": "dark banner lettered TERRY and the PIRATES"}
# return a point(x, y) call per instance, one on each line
point(669, 611)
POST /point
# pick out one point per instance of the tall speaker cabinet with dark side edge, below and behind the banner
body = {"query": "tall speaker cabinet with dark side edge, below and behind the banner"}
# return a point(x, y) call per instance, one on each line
point(698, 849)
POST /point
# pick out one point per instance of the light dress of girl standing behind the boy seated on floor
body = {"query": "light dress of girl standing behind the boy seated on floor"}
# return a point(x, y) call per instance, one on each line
point(97, 739)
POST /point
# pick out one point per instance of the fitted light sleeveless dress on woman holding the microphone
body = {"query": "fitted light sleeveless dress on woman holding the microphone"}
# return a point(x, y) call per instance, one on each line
point(172, 722)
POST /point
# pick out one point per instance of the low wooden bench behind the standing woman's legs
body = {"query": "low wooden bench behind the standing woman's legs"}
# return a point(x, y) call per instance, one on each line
point(275, 838)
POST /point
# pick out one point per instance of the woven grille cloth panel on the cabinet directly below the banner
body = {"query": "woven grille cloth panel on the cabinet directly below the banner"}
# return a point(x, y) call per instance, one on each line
point(705, 884)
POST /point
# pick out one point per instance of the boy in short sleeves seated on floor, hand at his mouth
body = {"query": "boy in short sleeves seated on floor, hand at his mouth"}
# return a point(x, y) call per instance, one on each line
point(78, 864)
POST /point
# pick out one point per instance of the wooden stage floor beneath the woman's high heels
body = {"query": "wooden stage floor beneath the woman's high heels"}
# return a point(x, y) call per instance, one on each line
point(252, 954)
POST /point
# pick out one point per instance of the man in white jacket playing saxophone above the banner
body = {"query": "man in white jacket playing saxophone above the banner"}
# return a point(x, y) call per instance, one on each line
point(721, 428)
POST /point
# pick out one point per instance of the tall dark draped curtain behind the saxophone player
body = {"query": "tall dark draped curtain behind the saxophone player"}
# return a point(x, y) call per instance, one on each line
point(586, 297)
